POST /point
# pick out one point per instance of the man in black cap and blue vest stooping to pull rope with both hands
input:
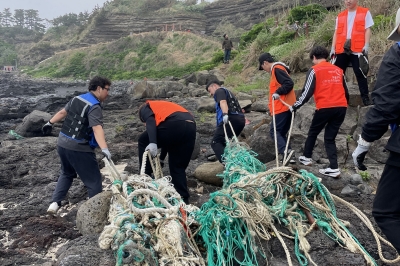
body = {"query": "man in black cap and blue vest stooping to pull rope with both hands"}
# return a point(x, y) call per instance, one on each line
point(227, 109)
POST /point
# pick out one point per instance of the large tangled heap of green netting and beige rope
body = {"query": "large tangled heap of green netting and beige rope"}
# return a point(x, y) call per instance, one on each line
point(255, 202)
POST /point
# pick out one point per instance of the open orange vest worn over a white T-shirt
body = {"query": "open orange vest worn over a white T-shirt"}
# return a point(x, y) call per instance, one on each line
point(357, 33)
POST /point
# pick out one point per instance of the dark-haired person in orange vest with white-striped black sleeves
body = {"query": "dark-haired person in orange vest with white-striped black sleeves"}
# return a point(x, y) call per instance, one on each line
point(327, 83)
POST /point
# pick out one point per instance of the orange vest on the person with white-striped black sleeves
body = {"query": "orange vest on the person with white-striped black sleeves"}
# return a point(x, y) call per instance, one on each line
point(329, 91)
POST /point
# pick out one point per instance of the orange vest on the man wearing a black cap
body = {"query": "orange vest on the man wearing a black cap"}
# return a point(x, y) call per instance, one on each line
point(289, 98)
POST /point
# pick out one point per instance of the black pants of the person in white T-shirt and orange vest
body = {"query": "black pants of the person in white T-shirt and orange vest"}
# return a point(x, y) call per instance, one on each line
point(342, 61)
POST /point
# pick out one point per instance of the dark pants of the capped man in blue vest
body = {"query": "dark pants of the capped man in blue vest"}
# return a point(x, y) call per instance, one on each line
point(218, 142)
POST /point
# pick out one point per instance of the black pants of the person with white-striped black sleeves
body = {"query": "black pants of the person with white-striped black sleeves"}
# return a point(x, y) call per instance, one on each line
point(332, 118)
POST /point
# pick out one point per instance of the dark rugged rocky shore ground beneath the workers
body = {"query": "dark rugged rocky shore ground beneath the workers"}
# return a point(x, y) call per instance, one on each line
point(29, 169)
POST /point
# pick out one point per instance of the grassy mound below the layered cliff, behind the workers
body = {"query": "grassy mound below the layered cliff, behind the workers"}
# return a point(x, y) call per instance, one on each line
point(152, 54)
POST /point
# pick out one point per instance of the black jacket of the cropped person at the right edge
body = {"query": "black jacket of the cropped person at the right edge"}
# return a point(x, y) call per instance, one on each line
point(386, 97)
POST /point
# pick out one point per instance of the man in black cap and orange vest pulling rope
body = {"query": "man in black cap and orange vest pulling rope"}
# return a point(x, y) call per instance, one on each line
point(280, 86)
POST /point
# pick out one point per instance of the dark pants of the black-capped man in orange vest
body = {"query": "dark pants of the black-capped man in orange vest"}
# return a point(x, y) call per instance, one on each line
point(282, 122)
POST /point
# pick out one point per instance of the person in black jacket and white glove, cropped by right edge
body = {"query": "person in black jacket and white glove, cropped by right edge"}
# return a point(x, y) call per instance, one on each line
point(384, 114)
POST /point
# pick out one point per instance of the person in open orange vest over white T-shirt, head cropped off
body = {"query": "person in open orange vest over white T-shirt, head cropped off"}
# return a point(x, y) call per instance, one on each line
point(350, 40)
